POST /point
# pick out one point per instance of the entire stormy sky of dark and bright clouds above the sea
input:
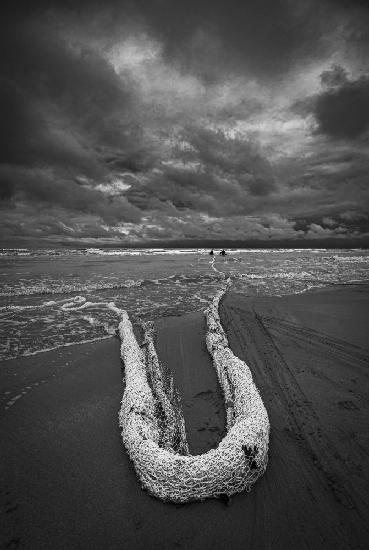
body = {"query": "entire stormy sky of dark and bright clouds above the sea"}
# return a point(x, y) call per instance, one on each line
point(131, 122)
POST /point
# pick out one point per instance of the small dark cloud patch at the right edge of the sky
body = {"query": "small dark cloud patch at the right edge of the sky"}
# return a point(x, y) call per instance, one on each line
point(342, 110)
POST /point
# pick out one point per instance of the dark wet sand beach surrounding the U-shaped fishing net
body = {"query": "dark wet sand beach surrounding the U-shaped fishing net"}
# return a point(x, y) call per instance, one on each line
point(66, 481)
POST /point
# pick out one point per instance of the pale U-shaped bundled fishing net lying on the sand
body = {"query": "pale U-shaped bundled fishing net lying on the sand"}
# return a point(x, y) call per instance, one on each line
point(153, 427)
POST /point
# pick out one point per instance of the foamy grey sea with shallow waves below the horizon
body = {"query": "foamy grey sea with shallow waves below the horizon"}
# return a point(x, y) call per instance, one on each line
point(60, 297)
